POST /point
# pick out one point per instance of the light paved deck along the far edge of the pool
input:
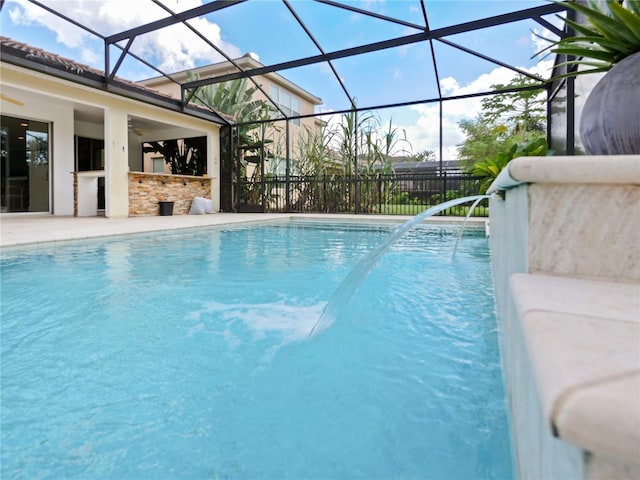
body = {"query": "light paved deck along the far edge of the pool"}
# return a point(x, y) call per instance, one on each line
point(37, 228)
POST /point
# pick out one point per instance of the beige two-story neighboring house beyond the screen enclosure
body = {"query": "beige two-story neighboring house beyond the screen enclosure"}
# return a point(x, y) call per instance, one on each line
point(290, 98)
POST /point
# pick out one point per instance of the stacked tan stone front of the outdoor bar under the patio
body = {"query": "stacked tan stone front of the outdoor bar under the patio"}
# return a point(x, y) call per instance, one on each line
point(147, 189)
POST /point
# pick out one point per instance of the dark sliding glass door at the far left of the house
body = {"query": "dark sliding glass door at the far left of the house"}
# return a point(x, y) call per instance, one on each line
point(24, 165)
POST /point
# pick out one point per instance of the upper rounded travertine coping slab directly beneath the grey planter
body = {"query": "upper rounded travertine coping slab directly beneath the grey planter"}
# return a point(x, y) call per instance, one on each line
point(600, 169)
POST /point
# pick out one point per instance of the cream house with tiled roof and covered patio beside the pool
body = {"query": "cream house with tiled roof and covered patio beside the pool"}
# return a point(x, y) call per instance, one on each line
point(61, 117)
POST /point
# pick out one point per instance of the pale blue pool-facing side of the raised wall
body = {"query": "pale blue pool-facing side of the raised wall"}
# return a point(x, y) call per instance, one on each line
point(538, 454)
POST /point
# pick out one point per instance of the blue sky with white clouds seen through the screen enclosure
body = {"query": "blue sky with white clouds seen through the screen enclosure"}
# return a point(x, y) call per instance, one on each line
point(268, 29)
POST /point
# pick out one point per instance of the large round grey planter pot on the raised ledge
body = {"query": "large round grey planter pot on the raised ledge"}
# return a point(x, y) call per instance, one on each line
point(610, 120)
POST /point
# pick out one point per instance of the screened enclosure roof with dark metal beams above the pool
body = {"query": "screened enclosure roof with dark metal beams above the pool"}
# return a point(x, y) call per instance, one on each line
point(380, 49)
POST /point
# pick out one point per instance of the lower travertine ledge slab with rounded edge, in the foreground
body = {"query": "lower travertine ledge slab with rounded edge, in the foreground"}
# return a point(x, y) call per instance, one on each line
point(583, 340)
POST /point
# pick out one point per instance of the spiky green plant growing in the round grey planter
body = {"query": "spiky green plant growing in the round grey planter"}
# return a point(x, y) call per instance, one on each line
point(605, 41)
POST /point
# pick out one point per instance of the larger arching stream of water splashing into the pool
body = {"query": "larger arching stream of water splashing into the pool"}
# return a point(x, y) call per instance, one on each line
point(352, 282)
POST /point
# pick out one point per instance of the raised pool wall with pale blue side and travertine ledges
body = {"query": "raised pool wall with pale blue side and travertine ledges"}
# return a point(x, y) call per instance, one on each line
point(566, 228)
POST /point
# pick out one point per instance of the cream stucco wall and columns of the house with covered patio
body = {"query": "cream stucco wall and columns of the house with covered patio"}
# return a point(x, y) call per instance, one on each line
point(50, 99)
